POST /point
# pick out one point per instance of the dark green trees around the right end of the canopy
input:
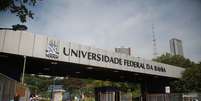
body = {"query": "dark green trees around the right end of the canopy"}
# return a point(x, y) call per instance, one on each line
point(191, 78)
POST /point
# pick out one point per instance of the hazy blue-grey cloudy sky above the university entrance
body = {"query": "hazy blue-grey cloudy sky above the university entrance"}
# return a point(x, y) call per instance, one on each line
point(108, 24)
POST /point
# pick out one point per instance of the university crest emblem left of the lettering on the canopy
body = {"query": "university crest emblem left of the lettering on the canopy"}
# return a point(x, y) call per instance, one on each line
point(52, 50)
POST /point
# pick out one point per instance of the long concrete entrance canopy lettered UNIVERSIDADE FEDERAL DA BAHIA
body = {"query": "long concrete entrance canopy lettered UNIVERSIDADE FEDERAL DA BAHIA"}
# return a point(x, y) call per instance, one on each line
point(50, 56)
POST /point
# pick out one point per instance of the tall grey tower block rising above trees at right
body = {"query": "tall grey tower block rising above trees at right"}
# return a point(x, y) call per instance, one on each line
point(176, 47)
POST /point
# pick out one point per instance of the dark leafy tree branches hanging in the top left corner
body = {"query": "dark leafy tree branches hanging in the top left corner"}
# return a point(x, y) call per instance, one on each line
point(19, 7)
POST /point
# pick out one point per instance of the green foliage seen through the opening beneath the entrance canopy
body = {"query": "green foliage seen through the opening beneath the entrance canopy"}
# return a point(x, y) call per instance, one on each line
point(39, 85)
